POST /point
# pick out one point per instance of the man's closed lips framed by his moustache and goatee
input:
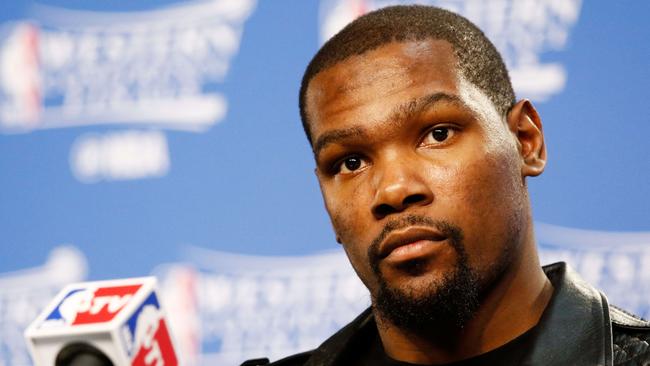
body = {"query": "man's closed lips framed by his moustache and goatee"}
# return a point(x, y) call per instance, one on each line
point(411, 242)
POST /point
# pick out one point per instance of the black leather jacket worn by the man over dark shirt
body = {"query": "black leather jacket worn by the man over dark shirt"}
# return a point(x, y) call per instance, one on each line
point(578, 328)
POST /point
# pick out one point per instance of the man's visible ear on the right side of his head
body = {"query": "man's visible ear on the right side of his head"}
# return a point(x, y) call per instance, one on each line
point(525, 124)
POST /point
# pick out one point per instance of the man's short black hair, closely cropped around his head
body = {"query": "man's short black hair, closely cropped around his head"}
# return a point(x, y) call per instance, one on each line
point(478, 60)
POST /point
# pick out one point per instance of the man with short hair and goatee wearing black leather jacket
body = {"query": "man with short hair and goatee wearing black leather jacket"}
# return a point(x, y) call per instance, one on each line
point(422, 154)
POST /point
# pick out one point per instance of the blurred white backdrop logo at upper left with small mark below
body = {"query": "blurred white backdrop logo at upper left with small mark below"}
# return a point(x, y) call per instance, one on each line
point(157, 69)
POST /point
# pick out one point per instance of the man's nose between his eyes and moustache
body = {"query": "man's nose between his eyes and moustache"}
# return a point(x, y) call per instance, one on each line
point(401, 185)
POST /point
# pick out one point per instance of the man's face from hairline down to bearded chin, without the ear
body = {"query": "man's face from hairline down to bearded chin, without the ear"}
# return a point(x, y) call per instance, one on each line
point(420, 174)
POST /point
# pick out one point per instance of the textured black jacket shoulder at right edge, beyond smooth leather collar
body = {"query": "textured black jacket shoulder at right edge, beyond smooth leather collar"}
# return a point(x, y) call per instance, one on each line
point(631, 338)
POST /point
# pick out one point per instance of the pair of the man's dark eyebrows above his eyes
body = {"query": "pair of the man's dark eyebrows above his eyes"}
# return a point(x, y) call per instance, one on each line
point(401, 113)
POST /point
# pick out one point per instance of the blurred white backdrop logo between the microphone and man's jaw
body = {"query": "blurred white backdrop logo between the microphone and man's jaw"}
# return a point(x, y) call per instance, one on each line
point(251, 306)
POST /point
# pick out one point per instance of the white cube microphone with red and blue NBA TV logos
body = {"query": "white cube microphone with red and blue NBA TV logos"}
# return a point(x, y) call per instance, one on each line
point(103, 323)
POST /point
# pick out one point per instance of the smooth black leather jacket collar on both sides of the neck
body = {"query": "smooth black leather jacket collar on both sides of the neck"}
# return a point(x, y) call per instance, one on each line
point(575, 328)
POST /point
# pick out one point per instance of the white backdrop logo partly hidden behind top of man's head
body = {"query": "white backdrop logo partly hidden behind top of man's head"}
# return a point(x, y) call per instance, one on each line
point(522, 30)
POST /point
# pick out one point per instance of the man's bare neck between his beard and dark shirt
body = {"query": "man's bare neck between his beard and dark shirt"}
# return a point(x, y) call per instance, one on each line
point(511, 308)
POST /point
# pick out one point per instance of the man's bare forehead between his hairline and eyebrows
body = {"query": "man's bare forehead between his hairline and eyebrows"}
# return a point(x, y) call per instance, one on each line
point(396, 72)
